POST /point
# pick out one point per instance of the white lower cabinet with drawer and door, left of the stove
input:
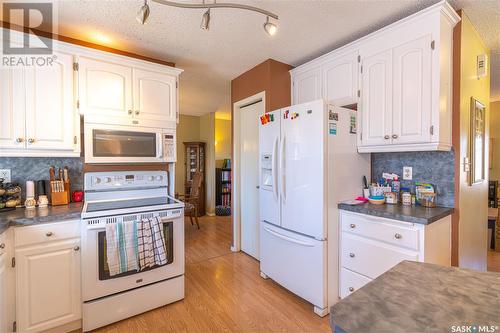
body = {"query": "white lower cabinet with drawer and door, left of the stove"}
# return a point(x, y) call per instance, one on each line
point(48, 288)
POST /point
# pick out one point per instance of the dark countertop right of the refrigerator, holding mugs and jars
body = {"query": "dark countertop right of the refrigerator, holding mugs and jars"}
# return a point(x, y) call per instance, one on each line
point(412, 214)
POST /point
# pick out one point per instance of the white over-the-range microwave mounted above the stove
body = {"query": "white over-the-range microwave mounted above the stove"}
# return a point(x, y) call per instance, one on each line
point(113, 144)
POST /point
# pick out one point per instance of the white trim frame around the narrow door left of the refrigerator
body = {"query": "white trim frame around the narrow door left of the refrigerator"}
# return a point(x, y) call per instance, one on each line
point(236, 183)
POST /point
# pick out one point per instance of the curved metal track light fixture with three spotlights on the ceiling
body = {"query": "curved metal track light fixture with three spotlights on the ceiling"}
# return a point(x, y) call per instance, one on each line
point(270, 27)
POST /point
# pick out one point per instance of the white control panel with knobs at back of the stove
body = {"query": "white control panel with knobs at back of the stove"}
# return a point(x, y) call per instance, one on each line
point(125, 179)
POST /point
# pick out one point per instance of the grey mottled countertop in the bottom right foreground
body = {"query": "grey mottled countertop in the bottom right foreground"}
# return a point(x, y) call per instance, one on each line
point(420, 297)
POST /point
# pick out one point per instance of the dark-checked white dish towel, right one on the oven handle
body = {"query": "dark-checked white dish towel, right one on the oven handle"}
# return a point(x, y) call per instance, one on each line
point(151, 243)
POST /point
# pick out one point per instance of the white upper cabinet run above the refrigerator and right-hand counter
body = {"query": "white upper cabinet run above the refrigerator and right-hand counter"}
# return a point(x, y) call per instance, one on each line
point(401, 82)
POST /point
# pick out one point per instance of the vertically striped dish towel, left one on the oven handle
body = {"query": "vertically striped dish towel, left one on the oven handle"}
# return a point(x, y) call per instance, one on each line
point(121, 247)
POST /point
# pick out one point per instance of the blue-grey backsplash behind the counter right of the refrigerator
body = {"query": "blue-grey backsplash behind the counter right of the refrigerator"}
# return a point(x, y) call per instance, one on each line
point(435, 167)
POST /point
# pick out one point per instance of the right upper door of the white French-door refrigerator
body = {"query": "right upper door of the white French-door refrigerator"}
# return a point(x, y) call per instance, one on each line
point(302, 169)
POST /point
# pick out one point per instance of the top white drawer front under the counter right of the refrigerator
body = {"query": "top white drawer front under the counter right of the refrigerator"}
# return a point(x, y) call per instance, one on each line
point(385, 230)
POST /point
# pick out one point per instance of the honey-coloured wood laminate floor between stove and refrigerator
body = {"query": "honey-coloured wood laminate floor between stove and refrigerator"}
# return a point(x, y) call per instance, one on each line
point(224, 293)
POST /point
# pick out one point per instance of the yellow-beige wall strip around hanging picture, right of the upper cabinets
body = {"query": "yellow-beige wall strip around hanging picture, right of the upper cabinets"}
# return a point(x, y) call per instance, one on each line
point(473, 200)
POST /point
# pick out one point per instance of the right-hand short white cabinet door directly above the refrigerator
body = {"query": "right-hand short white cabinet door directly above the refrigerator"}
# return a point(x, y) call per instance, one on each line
point(340, 80)
